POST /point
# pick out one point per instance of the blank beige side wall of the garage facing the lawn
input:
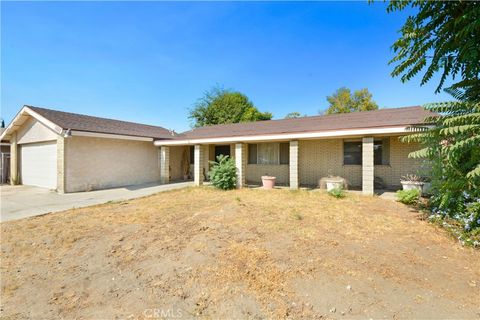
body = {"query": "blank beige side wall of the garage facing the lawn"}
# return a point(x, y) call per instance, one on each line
point(98, 163)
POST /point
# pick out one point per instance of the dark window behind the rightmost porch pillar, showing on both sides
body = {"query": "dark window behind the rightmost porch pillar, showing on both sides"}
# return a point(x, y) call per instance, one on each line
point(352, 152)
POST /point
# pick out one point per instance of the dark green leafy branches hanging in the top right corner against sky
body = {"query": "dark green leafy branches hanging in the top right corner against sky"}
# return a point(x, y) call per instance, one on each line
point(444, 36)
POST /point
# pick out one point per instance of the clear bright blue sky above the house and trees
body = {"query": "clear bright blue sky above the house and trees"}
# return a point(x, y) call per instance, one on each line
point(149, 62)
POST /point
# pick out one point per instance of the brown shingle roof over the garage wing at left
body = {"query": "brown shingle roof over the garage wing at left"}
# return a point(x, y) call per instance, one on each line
point(81, 122)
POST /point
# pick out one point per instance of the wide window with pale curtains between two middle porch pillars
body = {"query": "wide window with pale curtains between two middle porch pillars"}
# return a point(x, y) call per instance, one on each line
point(269, 153)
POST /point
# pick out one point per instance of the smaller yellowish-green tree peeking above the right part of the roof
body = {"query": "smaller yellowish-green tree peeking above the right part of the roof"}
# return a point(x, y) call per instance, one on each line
point(342, 101)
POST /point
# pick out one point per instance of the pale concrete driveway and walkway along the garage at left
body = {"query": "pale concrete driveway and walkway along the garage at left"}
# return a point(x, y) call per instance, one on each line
point(19, 202)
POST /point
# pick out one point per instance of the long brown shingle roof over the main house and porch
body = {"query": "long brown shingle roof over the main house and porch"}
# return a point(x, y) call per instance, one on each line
point(356, 120)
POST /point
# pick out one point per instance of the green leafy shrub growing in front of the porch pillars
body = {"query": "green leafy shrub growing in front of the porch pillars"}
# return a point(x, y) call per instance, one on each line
point(223, 173)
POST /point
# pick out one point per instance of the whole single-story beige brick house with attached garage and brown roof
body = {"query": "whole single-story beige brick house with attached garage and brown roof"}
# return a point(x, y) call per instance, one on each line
point(72, 152)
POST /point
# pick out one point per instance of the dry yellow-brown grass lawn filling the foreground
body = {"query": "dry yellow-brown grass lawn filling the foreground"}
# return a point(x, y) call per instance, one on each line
point(202, 253)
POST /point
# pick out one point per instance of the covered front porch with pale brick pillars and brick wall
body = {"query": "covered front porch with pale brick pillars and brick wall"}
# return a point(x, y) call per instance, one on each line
point(366, 163)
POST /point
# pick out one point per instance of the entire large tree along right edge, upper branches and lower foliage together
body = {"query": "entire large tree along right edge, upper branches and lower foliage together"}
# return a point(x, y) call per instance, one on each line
point(444, 38)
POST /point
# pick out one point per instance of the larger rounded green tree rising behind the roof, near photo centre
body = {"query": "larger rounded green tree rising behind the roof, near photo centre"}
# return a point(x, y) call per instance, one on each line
point(220, 106)
